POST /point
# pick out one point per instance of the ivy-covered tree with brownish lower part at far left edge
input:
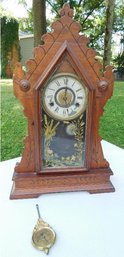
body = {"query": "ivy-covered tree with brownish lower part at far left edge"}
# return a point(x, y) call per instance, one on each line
point(10, 51)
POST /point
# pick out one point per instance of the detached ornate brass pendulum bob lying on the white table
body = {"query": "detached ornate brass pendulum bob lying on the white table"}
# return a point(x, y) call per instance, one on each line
point(43, 236)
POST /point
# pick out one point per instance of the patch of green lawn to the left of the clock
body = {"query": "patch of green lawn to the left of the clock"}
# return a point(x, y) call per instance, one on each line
point(14, 127)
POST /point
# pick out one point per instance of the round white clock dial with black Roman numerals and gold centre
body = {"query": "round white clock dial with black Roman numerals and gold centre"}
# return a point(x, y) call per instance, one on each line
point(64, 97)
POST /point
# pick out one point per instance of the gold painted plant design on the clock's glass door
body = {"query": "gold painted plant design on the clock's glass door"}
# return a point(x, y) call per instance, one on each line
point(51, 158)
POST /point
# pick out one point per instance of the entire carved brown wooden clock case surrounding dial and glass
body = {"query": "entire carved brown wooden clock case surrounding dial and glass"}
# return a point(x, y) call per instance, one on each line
point(64, 50)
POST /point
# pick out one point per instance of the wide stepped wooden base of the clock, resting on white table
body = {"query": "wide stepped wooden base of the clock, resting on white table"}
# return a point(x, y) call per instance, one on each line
point(26, 185)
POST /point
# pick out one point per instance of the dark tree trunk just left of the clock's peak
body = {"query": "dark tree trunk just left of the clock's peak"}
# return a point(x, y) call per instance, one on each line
point(39, 17)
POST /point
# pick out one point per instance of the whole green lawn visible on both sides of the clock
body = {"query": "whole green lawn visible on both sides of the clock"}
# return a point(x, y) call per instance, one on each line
point(14, 124)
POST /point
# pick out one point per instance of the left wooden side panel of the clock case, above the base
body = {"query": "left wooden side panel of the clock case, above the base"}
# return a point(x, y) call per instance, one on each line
point(27, 163)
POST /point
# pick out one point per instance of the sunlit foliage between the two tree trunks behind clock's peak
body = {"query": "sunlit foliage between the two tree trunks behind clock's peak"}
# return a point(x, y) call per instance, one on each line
point(90, 14)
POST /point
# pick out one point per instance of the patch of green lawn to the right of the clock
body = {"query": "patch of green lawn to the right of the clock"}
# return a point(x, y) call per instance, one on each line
point(112, 121)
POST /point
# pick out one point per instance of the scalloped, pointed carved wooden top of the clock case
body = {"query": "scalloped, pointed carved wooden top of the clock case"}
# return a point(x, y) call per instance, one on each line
point(65, 34)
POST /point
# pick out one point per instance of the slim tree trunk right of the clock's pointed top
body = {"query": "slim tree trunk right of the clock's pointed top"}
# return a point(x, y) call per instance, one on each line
point(108, 32)
